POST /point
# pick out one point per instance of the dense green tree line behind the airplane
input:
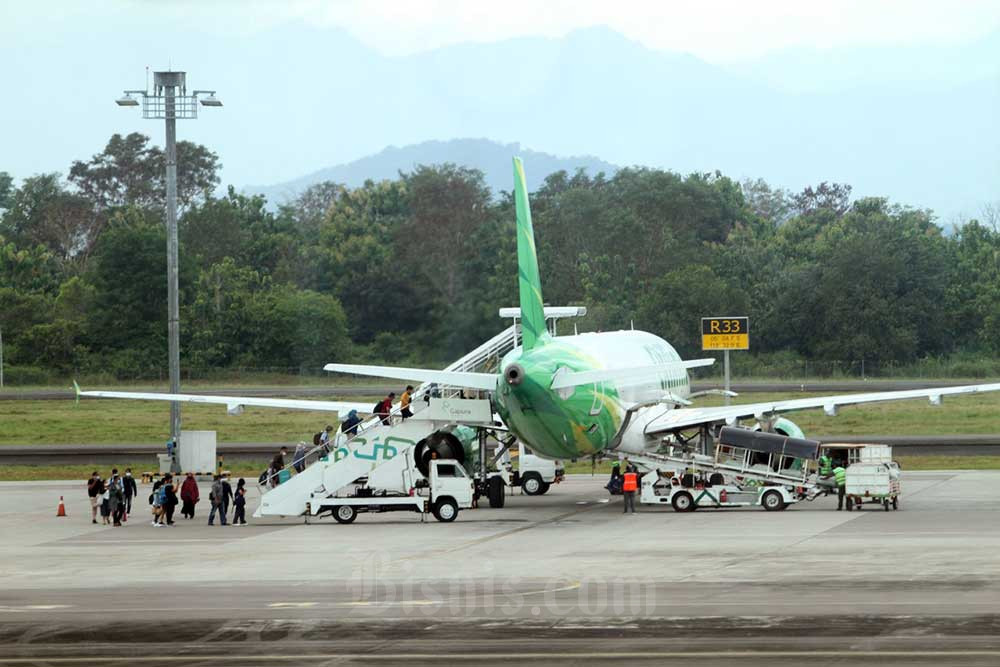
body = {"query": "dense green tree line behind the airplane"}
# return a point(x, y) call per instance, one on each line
point(414, 269)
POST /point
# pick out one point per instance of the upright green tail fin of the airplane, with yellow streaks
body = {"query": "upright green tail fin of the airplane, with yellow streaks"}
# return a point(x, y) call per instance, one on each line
point(530, 285)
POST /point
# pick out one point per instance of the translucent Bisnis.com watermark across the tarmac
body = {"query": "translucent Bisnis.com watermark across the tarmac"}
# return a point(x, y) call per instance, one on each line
point(379, 584)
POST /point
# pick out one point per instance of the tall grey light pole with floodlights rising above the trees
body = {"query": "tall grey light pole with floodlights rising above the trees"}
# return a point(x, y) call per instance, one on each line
point(169, 101)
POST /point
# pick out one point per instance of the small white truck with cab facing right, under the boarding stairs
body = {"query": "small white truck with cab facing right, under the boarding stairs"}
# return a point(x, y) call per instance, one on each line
point(446, 490)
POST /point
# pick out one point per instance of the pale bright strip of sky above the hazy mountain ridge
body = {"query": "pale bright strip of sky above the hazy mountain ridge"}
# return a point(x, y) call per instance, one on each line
point(719, 31)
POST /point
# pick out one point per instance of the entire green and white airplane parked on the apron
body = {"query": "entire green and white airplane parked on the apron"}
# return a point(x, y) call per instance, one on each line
point(591, 394)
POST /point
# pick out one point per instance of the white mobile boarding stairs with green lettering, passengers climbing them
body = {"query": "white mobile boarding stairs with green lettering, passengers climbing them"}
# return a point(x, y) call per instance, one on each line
point(377, 443)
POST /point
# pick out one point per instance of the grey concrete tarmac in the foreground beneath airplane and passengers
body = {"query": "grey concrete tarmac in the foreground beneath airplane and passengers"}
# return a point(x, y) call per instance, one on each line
point(563, 578)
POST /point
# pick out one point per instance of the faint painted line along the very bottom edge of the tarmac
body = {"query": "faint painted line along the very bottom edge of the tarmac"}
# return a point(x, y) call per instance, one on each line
point(479, 657)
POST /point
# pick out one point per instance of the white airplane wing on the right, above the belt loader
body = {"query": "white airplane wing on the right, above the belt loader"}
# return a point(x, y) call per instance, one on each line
point(682, 418)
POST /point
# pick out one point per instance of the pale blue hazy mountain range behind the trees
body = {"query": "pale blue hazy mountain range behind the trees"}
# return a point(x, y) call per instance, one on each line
point(918, 124)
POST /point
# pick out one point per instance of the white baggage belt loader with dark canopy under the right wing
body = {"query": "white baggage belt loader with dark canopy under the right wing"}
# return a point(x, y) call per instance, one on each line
point(745, 468)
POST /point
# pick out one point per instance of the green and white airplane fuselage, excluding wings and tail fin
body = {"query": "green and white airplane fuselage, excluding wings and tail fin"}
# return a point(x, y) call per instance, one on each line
point(583, 420)
